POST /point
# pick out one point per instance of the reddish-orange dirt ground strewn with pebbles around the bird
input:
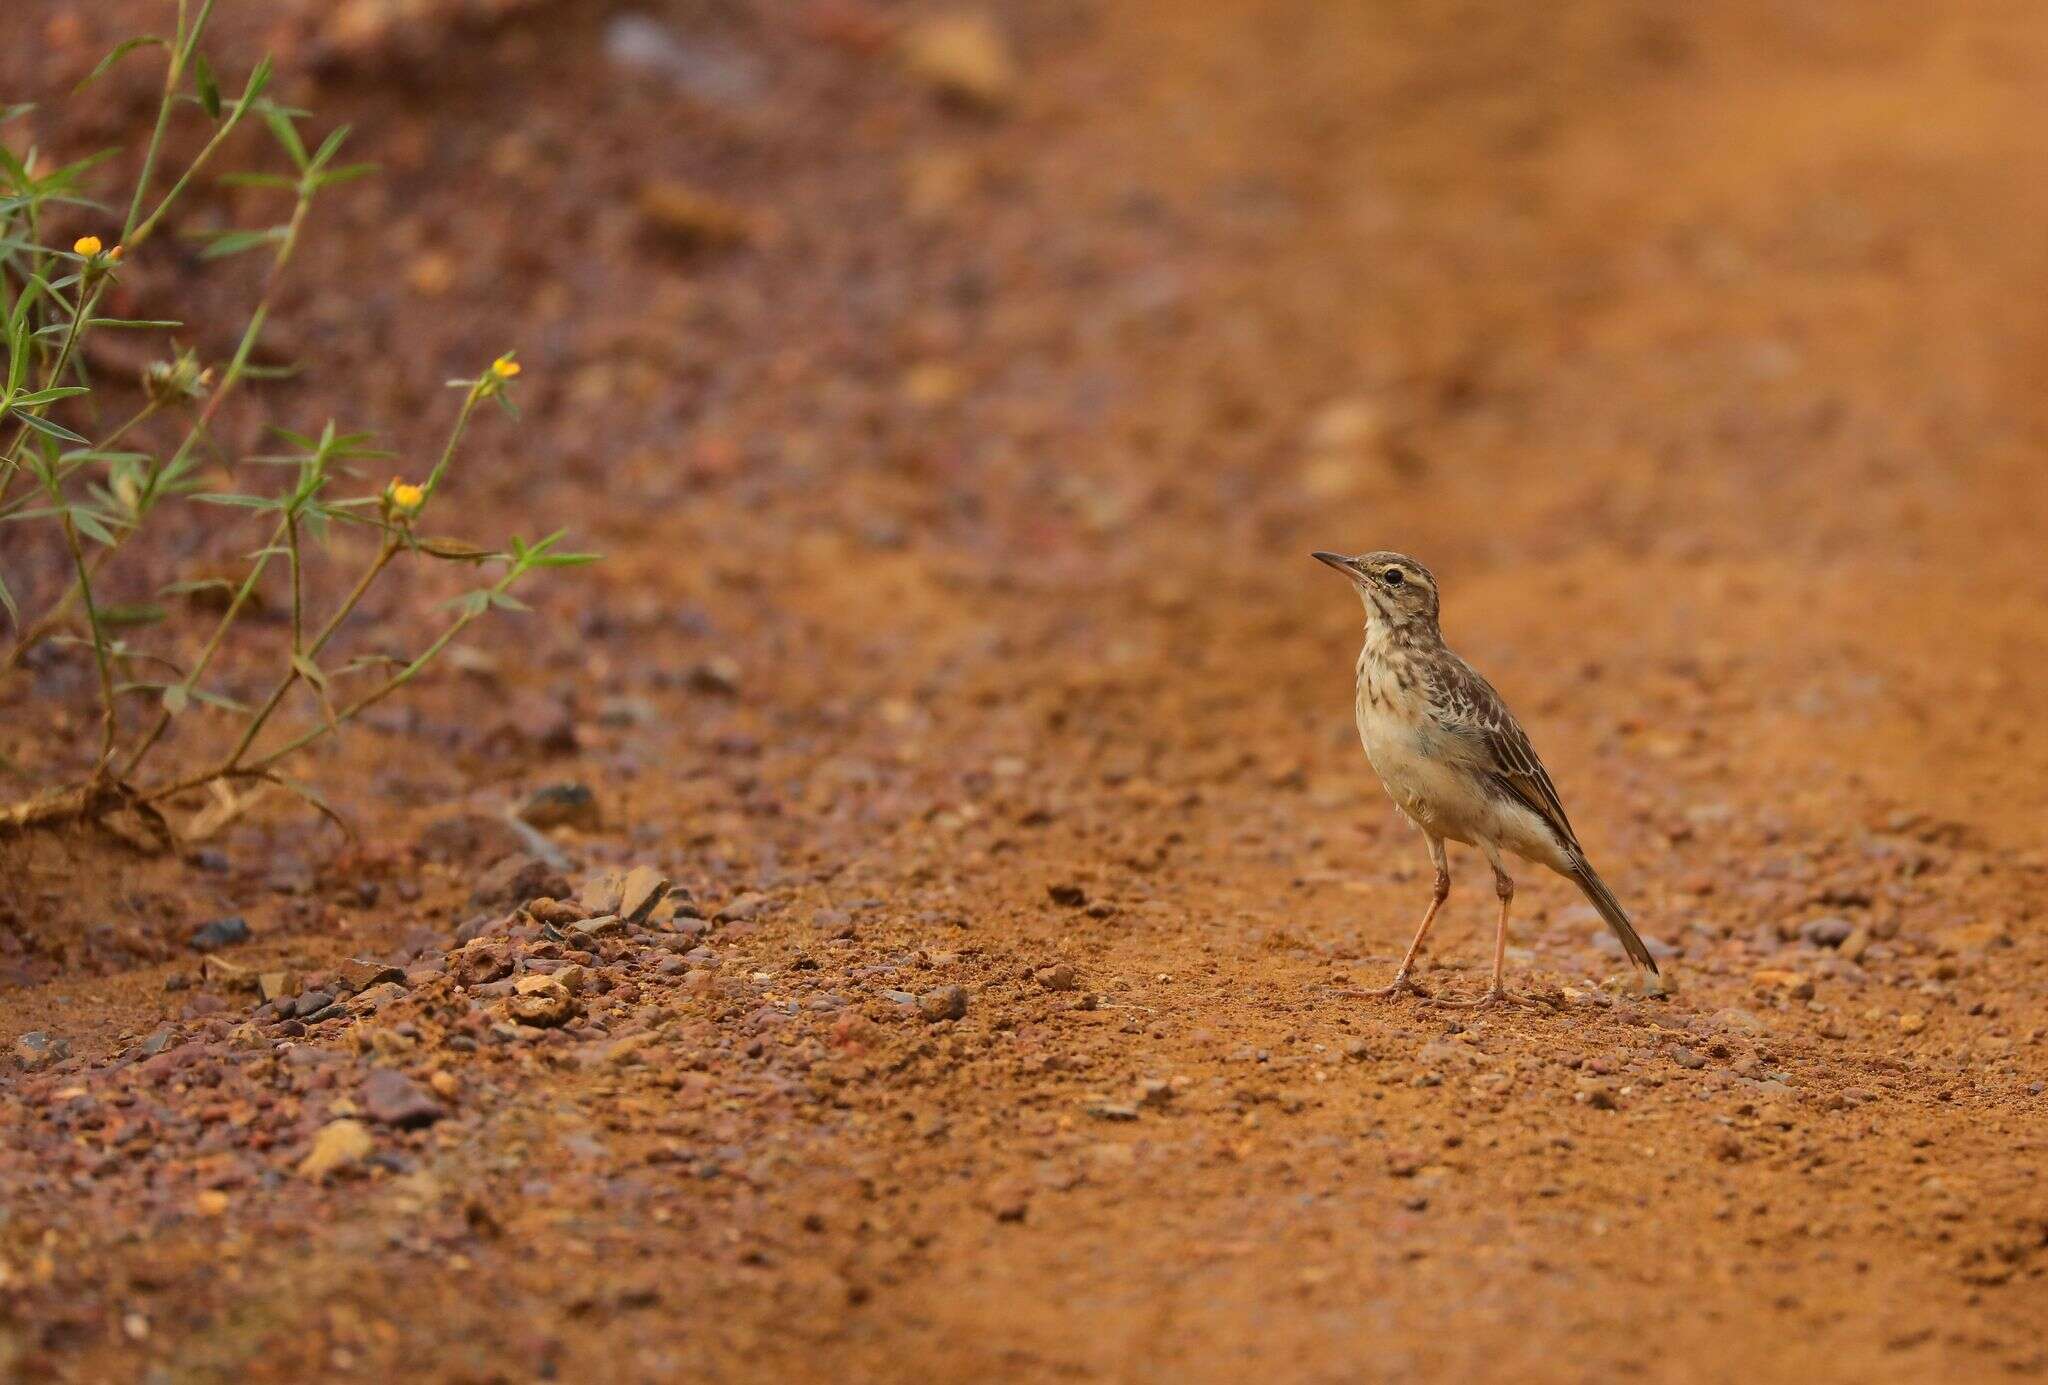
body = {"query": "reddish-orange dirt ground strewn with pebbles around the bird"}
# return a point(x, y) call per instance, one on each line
point(1699, 355)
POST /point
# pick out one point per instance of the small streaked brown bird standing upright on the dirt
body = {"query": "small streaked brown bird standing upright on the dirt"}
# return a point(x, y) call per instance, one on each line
point(1457, 763)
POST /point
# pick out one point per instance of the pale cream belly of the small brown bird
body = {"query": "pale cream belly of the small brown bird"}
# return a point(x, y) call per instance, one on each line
point(1422, 775)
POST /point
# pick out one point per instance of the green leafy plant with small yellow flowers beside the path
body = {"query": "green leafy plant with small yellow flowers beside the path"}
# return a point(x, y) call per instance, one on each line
point(97, 489)
